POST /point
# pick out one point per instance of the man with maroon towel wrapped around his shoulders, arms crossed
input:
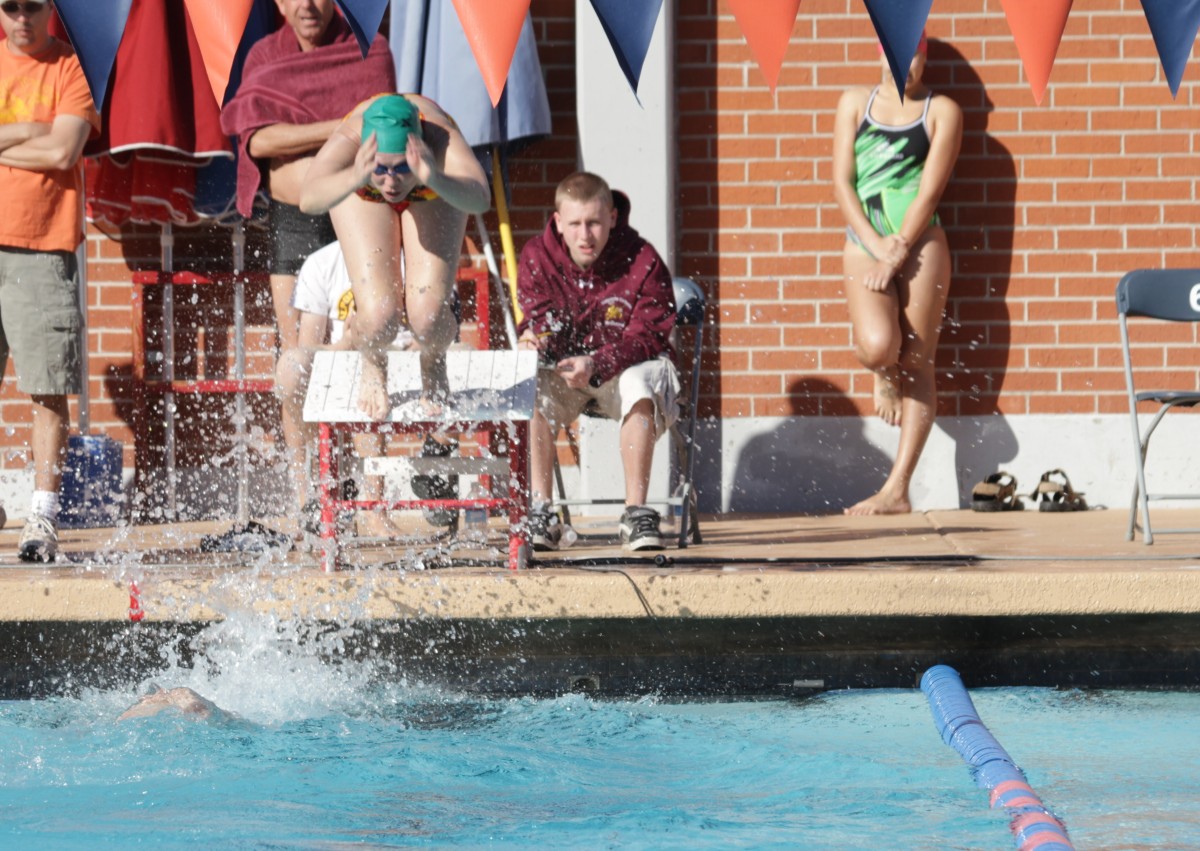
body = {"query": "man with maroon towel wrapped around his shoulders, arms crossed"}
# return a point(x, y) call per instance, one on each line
point(297, 87)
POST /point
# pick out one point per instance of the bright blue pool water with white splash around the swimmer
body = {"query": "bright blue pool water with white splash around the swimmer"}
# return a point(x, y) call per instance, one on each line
point(327, 756)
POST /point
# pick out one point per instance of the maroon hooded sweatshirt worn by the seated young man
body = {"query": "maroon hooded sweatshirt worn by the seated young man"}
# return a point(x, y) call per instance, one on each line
point(621, 310)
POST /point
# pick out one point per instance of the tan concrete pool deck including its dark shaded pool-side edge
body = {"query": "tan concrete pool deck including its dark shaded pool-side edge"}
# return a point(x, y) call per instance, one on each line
point(764, 603)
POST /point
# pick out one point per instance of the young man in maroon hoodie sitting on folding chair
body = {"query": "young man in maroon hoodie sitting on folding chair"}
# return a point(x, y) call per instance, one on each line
point(599, 308)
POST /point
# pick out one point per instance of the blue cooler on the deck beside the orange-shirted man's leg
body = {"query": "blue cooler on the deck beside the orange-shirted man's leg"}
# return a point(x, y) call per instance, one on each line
point(92, 483)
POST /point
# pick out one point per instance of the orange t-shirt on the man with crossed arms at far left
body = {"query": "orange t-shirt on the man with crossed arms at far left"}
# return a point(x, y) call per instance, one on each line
point(43, 211)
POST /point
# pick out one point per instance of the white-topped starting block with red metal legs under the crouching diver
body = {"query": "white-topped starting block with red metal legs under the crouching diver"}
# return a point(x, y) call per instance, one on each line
point(490, 392)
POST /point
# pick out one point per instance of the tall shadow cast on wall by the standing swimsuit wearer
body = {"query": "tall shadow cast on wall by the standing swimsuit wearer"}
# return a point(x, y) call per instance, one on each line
point(979, 212)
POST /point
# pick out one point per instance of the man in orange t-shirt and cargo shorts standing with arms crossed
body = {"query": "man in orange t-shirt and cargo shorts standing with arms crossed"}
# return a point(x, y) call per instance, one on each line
point(46, 117)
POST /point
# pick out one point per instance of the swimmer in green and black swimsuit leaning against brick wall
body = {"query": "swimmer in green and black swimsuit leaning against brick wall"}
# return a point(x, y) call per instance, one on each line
point(891, 163)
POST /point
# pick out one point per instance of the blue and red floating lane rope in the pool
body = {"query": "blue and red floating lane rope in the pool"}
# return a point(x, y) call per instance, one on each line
point(1034, 826)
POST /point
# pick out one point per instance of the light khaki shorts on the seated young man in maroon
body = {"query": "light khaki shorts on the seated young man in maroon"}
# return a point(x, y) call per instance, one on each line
point(655, 380)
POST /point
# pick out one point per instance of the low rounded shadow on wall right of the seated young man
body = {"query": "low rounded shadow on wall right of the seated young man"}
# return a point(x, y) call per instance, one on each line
point(817, 463)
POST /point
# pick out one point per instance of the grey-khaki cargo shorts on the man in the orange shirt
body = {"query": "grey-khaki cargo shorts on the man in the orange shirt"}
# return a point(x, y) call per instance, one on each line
point(40, 320)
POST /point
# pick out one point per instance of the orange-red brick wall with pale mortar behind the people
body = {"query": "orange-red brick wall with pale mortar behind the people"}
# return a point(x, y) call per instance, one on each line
point(1048, 207)
